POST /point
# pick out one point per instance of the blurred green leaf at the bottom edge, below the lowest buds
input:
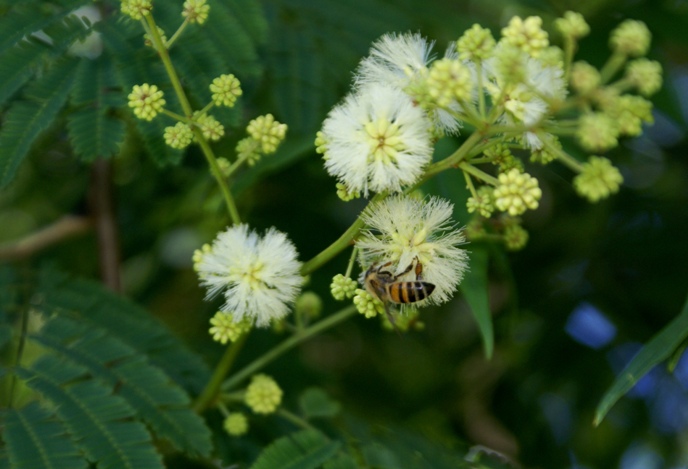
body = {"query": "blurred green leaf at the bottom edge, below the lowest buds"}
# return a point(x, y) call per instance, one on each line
point(302, 450)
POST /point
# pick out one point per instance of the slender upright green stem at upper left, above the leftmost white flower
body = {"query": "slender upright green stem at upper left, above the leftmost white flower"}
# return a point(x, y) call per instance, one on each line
point(188, 111)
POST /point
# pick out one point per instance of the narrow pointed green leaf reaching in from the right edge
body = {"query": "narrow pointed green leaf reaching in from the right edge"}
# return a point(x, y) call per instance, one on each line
point(658, 349)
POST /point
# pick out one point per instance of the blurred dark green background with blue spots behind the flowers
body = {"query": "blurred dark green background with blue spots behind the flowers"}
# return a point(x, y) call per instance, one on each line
point(592, 285)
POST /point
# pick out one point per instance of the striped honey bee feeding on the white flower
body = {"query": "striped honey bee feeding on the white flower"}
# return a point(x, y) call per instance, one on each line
point(386, 287)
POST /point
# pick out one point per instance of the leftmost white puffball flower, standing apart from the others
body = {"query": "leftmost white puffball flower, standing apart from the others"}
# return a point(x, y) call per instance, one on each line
point(259, 275)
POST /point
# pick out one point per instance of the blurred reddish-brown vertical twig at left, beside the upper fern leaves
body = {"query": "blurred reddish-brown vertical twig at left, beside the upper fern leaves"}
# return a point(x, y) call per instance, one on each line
point(102, 211)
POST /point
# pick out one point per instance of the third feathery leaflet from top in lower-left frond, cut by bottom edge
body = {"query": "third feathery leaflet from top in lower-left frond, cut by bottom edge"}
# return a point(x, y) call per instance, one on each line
point(100, 422)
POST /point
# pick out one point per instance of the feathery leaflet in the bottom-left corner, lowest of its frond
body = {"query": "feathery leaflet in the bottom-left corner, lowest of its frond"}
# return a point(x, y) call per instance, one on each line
point(36, 439)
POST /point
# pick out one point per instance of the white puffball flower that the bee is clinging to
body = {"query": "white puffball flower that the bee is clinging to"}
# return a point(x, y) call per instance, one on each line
point(402, 229)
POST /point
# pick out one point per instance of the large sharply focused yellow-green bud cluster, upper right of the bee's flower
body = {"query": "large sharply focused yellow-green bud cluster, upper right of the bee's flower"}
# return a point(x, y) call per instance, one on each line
point(517, 192)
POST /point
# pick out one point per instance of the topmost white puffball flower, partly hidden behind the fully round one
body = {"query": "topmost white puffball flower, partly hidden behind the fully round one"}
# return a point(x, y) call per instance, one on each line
point(399, 60)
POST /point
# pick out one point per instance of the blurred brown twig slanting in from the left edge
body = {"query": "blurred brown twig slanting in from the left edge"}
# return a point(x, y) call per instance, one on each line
point(66, 227)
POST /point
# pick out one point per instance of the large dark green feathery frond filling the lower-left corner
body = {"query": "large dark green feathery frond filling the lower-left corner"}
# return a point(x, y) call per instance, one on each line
point(108, 371)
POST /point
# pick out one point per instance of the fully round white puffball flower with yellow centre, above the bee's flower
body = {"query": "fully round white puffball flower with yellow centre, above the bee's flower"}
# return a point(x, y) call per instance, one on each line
point(377, 140)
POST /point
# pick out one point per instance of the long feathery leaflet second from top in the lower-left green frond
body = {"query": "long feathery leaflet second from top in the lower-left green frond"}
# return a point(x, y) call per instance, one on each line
point(159, 401)
